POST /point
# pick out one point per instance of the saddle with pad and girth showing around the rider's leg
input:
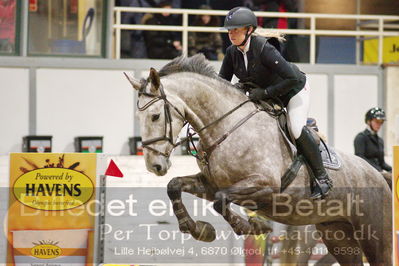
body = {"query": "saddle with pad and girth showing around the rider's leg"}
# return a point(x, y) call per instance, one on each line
point(329, 156)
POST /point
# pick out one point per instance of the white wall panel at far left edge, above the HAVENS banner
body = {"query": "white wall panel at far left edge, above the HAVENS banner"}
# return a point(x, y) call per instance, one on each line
point(14, 108)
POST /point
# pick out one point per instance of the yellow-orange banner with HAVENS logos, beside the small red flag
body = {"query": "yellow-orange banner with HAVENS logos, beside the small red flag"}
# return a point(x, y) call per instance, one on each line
point(50, 214)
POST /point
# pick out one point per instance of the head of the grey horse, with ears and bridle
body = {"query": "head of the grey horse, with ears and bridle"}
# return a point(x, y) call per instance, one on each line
point(161, 119)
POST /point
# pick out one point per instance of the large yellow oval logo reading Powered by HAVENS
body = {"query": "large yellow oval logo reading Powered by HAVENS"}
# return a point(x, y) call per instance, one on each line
point(53, 189)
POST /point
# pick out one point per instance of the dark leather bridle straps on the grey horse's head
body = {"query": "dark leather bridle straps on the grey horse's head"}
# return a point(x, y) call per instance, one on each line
point(168, 118)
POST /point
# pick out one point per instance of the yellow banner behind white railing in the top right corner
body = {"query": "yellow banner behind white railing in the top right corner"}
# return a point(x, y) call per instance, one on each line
point(390, 53)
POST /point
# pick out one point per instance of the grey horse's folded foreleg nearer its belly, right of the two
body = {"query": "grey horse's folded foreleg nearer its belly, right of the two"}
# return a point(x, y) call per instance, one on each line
point(249, 193)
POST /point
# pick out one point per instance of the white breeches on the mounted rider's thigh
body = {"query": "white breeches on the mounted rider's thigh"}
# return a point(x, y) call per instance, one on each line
point(297, 109)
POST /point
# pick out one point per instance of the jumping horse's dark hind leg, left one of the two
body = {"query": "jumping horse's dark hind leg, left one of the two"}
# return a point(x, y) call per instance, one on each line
point(341, 243)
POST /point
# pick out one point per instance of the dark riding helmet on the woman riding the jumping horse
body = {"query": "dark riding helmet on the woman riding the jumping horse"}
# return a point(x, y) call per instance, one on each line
point(240, 17)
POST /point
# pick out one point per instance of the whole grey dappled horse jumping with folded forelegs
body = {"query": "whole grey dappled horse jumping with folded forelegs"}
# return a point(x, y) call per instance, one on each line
point(242, 158)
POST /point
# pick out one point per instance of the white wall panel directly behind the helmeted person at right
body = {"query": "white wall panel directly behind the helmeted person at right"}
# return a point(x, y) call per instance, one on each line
point(353, 96)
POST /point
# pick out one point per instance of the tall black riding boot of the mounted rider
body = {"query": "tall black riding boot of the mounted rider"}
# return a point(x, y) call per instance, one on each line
point(307, 146)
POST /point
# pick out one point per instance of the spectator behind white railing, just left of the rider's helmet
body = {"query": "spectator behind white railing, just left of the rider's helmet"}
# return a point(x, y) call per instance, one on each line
point(207, 43)
